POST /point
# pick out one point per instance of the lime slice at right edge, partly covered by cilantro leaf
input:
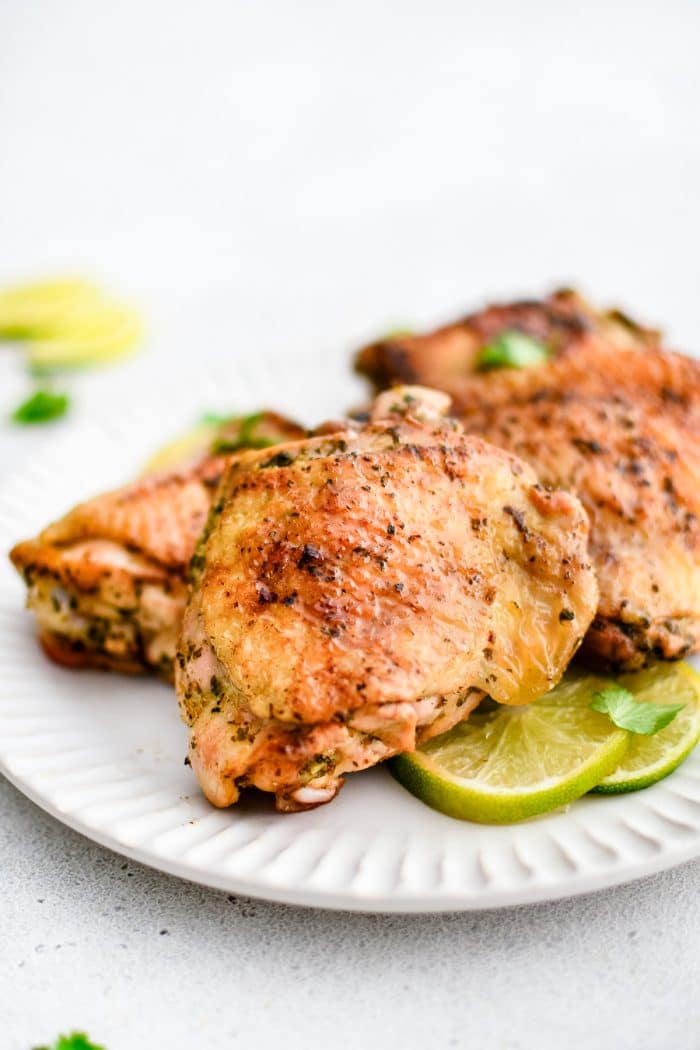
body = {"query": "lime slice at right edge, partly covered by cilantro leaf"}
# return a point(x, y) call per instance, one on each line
point(651, 759)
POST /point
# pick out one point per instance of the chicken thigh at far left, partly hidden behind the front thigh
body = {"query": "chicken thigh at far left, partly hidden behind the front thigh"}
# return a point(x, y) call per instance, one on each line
point(108, 583)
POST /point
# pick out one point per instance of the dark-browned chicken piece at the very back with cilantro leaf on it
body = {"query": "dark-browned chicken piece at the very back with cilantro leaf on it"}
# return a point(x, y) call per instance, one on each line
point(565, 322)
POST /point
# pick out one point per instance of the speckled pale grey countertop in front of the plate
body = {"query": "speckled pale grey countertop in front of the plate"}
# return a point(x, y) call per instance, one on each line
point(143, 960)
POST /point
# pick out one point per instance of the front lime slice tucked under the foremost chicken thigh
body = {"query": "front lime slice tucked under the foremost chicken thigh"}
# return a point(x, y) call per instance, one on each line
point(507, 764)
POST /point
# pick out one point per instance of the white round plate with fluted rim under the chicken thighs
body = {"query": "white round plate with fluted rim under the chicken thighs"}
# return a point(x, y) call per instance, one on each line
point(105, 754)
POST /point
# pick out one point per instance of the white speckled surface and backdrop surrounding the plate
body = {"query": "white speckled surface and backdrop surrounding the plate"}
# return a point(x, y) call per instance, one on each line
point(299, 177)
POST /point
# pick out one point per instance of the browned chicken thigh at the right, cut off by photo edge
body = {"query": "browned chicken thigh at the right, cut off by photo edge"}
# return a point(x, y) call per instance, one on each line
point(617, 421)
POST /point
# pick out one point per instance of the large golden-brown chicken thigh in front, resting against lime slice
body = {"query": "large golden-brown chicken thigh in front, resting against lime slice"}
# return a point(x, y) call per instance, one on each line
point(356, 594)
